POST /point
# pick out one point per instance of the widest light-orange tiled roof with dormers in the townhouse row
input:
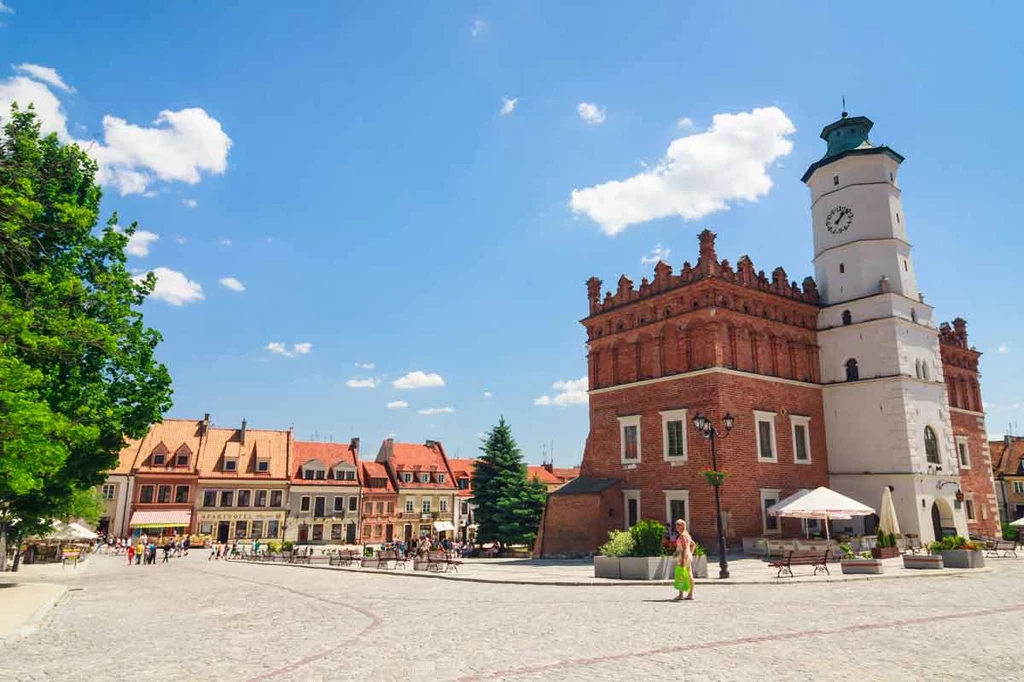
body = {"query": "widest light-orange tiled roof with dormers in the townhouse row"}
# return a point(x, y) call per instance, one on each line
point(261, 444)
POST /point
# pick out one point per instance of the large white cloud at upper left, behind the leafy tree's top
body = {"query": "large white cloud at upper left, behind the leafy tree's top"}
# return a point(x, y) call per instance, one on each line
point(180, 147)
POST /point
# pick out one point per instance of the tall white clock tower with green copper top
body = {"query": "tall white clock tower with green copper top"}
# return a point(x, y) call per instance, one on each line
point(887, 418)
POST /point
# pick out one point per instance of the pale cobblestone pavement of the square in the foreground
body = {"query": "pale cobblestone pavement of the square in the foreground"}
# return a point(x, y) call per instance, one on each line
point(195, 620)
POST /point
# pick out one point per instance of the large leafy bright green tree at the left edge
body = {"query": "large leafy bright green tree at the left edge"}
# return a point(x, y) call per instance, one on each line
point(77, 368)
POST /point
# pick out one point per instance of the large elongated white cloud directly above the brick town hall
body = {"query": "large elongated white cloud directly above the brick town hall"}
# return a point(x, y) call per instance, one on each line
point(700, 174)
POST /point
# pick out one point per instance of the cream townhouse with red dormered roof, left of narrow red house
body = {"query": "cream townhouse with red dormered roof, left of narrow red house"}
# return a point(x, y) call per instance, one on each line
point(324, 500)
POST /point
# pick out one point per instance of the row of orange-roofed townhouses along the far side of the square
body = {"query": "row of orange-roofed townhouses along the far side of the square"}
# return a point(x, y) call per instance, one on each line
point(191, 478)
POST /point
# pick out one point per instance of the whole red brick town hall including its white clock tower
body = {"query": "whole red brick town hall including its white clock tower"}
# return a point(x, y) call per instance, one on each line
point(843, 380)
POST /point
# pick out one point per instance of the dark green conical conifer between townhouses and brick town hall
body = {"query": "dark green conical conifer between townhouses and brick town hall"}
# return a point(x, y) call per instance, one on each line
point(508, 504)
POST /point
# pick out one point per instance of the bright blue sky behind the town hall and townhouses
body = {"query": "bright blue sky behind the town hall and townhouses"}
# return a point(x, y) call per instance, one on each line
point(381, 208)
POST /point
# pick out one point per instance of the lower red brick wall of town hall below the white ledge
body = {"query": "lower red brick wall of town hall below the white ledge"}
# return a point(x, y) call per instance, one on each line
point(713, 394)
